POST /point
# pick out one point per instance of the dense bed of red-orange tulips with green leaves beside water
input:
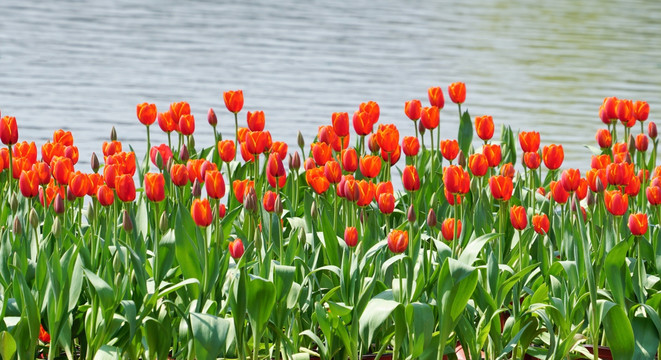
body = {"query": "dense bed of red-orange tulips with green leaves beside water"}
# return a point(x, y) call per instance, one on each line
point(147, 258)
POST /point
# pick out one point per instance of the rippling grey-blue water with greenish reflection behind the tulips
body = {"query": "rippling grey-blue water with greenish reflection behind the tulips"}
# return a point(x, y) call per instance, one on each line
point(84, 65)
